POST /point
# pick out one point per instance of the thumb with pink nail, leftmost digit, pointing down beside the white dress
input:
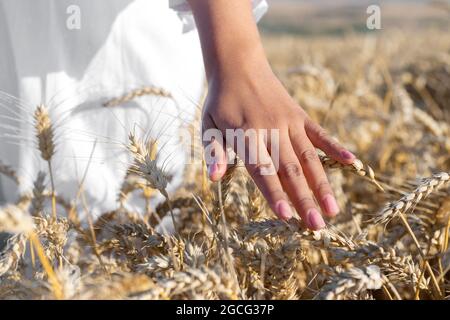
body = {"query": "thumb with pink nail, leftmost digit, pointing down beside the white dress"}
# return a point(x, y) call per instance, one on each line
point(215, 150)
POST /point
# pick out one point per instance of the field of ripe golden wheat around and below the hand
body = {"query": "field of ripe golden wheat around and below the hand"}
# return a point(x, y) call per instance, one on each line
point(386, 98)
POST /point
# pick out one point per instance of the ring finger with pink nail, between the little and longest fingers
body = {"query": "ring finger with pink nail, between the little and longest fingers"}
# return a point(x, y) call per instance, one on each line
point(314, 172)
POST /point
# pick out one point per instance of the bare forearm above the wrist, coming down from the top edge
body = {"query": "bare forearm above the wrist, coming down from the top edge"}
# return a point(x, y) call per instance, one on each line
point(229, 36)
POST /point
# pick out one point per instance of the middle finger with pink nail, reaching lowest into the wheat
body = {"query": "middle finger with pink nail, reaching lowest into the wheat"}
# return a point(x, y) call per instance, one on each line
point(294, 182)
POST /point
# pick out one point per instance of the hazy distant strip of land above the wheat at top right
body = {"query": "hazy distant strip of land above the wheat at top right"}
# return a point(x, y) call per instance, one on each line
point(328, 17)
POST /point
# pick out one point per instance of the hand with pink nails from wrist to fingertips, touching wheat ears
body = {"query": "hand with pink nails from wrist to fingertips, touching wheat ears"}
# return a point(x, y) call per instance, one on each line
point(253, 98)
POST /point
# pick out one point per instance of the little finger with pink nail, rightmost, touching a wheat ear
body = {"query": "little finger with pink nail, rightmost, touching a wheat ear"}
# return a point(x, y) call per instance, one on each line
point(322, 140)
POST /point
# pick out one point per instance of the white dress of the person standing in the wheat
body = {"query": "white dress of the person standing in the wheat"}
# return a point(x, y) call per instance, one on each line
point(76, 54)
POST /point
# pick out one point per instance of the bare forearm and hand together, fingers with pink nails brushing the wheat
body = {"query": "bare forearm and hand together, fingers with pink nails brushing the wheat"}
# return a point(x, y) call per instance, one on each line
point(245, 94)
